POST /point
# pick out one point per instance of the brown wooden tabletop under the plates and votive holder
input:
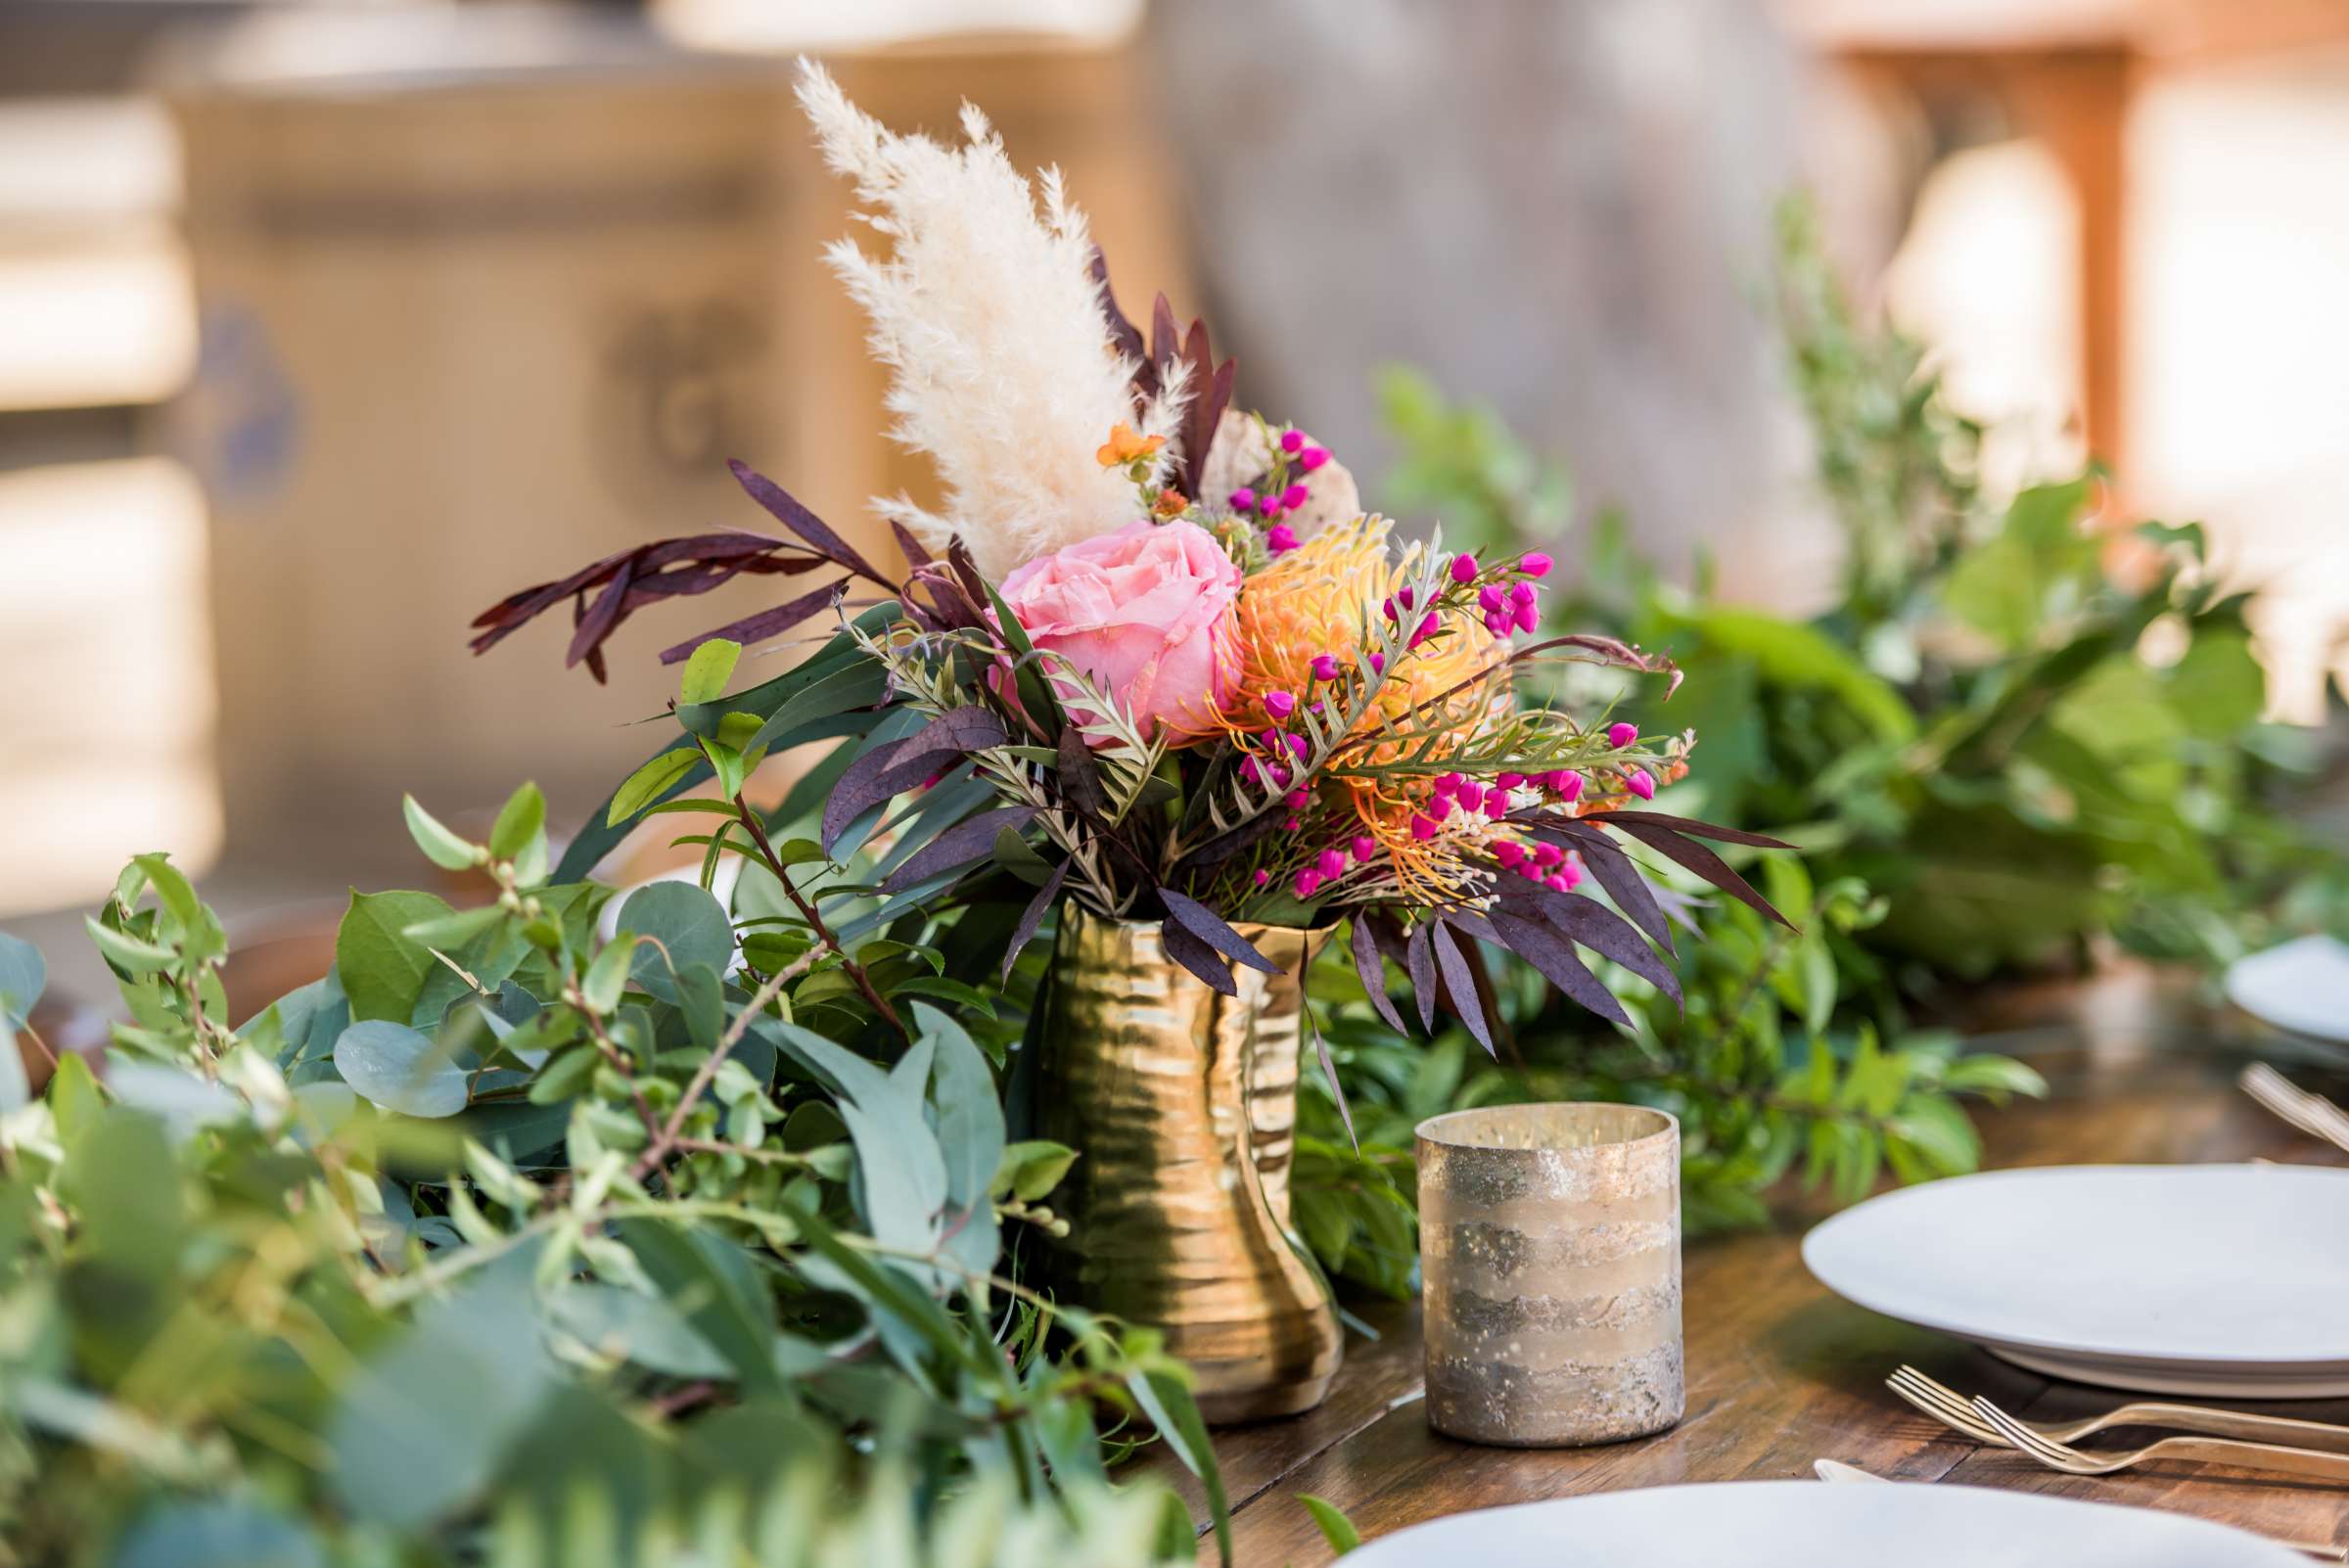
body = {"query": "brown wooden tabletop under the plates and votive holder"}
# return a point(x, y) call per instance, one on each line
point(1784, 1374)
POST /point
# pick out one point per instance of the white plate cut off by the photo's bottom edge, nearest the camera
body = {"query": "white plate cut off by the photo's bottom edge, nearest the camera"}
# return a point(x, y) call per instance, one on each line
point(1808, 1525)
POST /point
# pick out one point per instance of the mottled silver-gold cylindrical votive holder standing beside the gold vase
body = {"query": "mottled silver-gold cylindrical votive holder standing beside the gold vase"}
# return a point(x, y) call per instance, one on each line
point(1549, 1243)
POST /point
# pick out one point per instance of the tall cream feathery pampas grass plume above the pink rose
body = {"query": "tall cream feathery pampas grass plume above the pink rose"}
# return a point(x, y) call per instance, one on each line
point(992, 330)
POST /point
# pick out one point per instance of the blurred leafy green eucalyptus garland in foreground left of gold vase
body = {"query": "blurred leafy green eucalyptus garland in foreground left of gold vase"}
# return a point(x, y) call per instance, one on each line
point(511, 1243)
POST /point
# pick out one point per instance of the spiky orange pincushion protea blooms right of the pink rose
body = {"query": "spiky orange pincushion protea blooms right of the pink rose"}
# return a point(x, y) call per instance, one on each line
point(1317, 602)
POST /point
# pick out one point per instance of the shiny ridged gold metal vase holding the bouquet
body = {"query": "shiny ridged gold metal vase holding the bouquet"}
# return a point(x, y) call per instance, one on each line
point(1183, 1107)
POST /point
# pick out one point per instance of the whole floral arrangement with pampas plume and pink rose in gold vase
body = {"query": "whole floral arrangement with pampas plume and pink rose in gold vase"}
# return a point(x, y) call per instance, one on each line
point(1155, 656)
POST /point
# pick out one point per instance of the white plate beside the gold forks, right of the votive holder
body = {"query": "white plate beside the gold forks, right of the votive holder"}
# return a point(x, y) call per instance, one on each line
point(2174, 1278)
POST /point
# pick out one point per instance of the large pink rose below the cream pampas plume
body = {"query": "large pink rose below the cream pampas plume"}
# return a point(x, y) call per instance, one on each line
point(1147, 614)
